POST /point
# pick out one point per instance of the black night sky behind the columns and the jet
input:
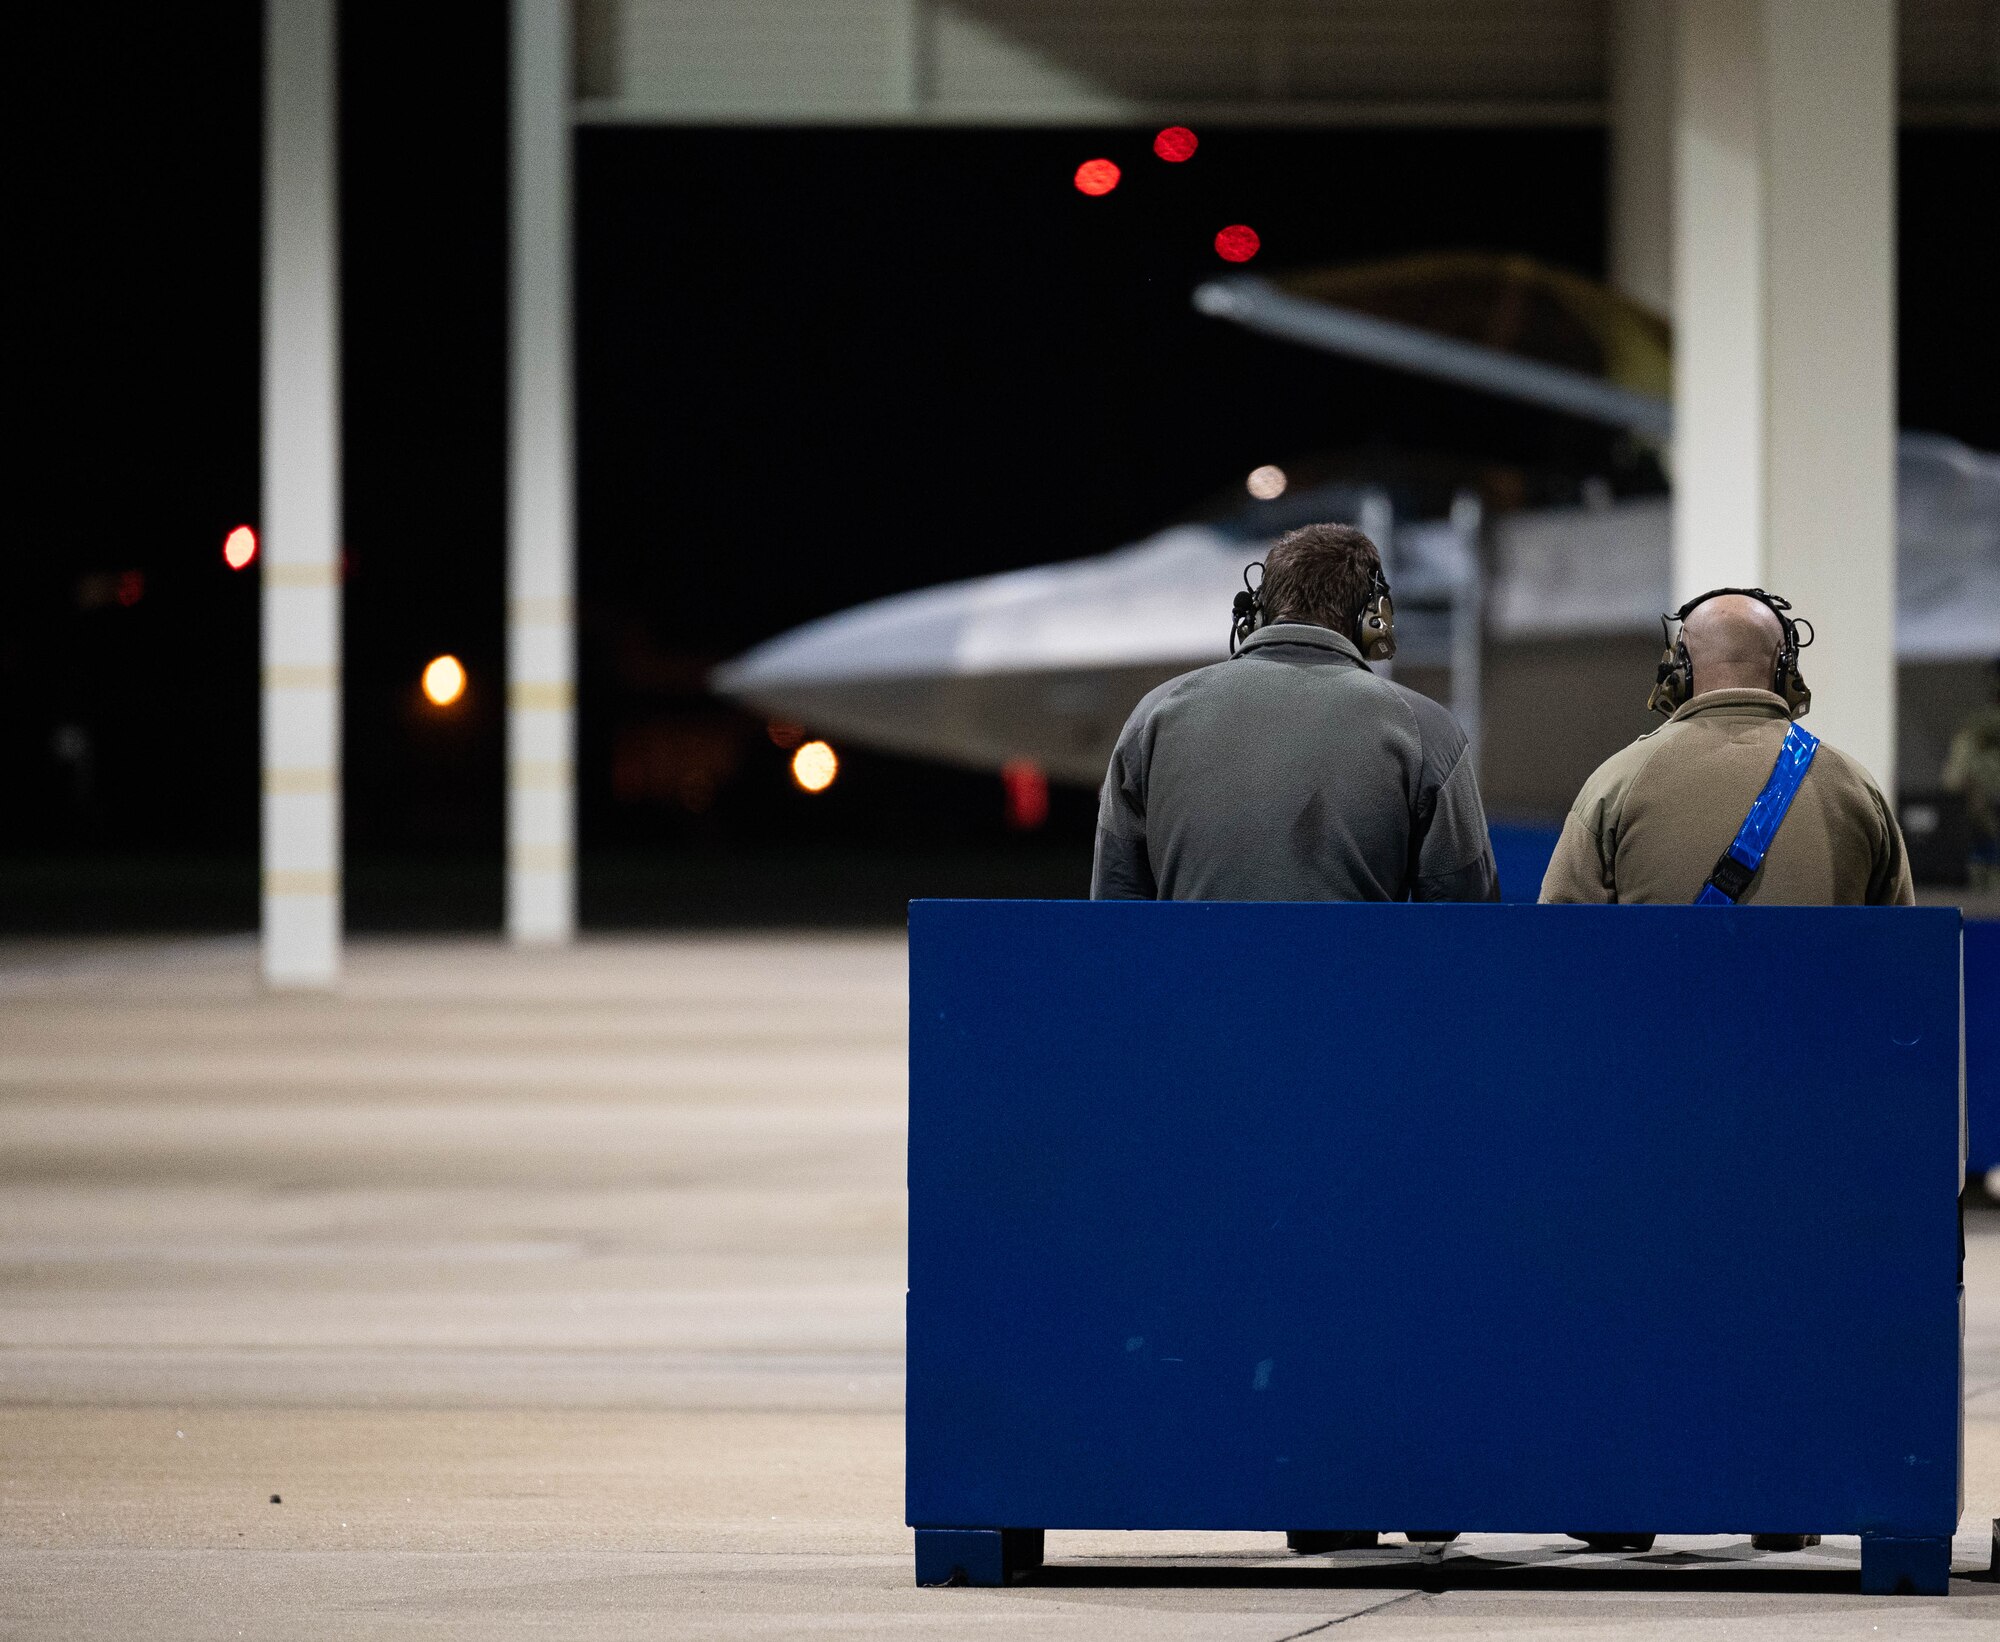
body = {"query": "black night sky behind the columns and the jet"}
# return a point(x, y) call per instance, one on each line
point(813, 367)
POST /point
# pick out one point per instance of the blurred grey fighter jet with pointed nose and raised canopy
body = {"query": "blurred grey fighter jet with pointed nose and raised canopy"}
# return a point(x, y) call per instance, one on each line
point(1045, 665)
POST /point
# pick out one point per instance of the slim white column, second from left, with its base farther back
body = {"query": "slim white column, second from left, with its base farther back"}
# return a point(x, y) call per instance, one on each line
point(541, 813)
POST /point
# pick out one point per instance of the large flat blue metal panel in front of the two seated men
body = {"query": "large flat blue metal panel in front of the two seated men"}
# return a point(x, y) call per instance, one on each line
point(1491, 1219)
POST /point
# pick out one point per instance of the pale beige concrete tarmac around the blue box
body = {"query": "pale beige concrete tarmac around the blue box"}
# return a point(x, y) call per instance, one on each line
point(511, 1295)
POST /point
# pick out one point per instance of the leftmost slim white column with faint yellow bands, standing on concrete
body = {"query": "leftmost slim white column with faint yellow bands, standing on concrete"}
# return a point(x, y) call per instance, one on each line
point(301, 541)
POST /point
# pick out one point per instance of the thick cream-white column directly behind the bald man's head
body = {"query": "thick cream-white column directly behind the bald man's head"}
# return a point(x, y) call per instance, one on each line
point(1785, 335)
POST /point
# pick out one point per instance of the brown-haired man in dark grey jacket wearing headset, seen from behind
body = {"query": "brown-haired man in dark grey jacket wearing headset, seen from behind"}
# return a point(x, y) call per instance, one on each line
point(1291, 771)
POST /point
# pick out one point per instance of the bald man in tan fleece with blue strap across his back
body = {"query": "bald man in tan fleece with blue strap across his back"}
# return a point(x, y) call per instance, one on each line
point(1655, 819)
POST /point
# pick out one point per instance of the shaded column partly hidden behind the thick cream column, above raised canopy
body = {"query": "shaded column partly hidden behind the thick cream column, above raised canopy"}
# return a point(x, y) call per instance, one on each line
point(1643, 151)
